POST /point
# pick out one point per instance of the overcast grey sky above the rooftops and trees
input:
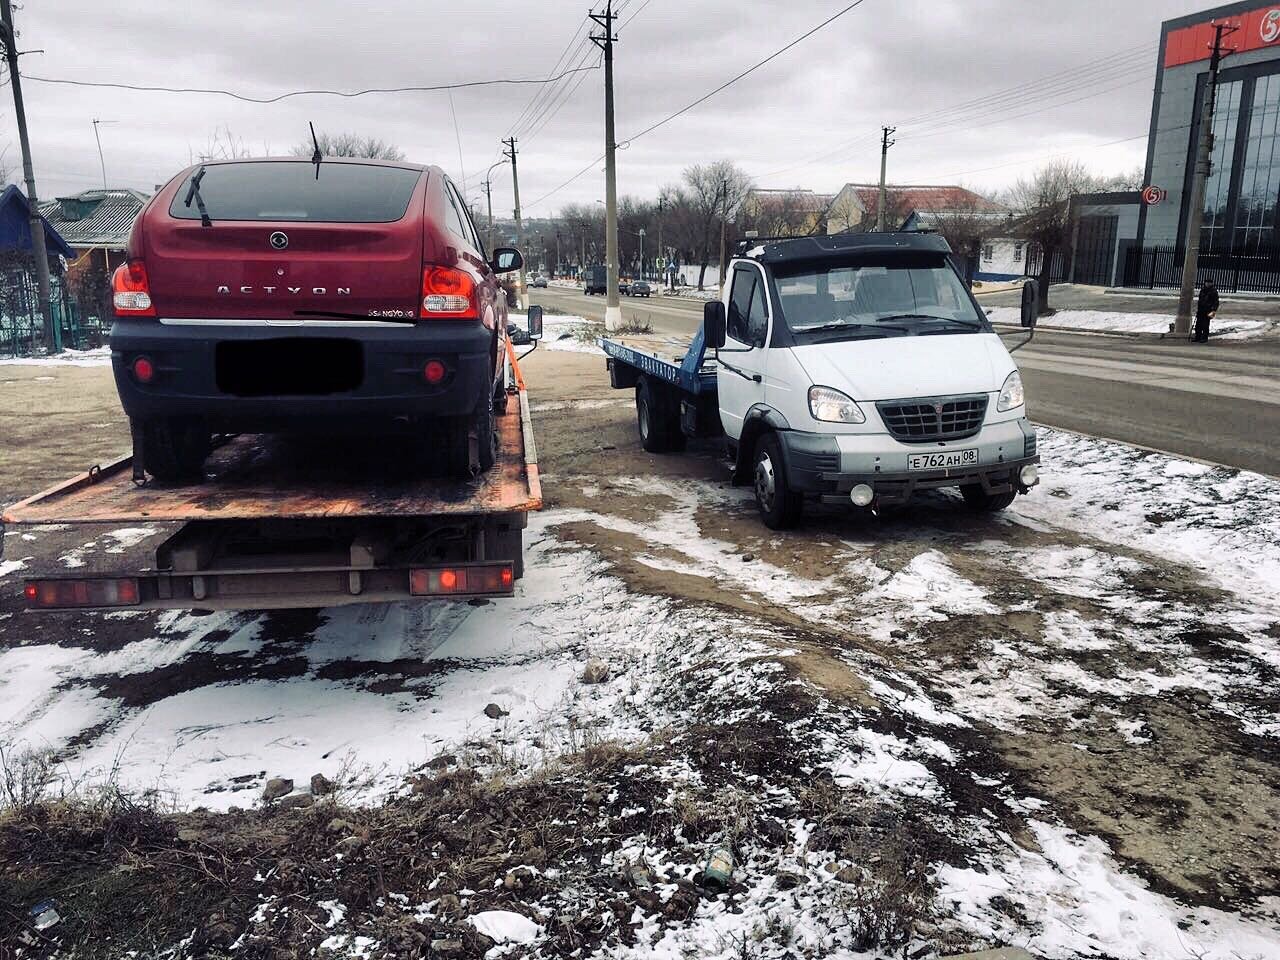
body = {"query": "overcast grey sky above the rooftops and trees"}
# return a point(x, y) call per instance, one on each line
point(981, 90)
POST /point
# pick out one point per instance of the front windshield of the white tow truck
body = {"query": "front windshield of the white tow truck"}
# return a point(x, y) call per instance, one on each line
point(824, 301)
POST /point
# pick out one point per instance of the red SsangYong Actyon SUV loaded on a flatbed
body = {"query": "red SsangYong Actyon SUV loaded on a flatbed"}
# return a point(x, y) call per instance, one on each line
point(281, 296)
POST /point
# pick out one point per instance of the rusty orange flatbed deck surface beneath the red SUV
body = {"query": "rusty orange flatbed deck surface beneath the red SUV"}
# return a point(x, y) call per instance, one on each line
point(258, 478)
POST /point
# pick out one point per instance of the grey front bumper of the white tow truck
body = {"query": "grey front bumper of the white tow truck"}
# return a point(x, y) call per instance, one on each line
point(831, 467)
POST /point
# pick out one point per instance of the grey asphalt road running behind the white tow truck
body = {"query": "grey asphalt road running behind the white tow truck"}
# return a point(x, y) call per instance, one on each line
point(1218, 403)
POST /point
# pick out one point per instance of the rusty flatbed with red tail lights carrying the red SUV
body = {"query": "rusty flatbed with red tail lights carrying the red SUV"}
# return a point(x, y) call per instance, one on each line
point(287, 523)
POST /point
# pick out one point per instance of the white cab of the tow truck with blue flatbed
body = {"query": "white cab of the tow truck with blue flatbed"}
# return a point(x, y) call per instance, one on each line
point(861, 368)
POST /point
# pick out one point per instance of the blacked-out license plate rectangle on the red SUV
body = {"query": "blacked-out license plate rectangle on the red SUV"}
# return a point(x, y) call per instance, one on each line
point(291, 367)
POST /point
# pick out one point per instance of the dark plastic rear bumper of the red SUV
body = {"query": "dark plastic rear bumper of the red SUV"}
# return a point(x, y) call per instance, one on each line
point(259, 378)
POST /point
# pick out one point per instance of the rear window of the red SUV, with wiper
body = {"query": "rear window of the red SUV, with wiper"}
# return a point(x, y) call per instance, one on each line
point(291, 191)
